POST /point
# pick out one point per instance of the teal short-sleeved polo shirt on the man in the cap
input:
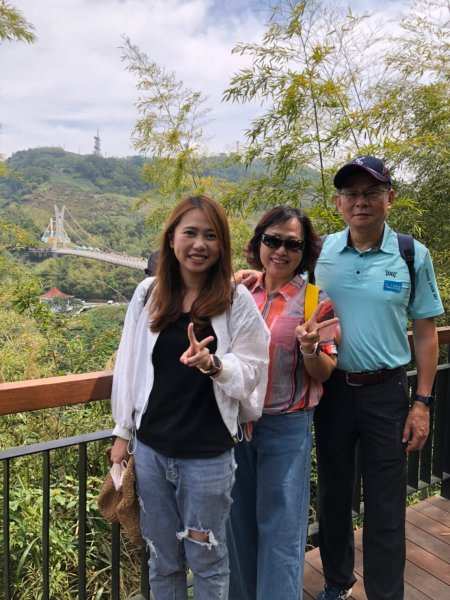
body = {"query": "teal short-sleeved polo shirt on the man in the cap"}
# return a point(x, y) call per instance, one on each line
point(370, 291)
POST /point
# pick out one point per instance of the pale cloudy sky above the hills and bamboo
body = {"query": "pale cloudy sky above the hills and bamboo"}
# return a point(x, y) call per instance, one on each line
point(59, 90)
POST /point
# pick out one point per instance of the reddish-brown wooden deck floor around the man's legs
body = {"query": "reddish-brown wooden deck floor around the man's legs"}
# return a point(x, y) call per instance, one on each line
point(427, 573)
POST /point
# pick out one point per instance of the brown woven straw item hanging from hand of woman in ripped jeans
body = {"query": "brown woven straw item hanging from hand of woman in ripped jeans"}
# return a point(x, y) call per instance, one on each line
point(118, 502)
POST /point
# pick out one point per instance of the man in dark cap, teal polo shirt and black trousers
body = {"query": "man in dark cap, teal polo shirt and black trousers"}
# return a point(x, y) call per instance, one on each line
point(366, 400)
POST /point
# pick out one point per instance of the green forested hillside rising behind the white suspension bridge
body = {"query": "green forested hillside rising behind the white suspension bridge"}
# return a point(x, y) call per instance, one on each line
point(100, 194)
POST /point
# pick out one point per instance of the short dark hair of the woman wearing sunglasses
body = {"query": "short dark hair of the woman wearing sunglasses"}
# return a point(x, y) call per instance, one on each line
point(281, 214)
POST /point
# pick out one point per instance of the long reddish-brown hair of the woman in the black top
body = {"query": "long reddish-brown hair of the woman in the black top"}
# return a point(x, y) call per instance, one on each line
point(215, 297)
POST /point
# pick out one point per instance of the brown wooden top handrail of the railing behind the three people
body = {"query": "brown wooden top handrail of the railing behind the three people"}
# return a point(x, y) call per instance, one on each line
point(36, 394)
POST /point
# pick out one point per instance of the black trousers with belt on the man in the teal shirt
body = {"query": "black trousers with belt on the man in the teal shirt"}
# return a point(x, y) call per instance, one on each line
point(374, 416)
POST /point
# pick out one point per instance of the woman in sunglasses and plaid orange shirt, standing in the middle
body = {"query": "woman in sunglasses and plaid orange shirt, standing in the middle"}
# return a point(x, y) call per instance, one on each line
point(269, 516)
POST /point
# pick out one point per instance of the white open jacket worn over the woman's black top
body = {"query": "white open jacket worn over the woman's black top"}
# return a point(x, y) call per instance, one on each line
point(242, 345)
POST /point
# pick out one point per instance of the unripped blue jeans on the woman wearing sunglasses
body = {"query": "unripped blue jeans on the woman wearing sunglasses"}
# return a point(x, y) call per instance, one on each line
point(269, 518)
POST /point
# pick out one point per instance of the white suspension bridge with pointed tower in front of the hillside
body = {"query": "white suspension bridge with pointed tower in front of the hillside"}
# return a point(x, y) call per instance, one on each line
point(59, 242)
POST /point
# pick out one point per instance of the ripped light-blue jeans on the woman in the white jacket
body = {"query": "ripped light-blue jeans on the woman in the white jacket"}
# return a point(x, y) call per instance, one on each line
point(179, 497)
